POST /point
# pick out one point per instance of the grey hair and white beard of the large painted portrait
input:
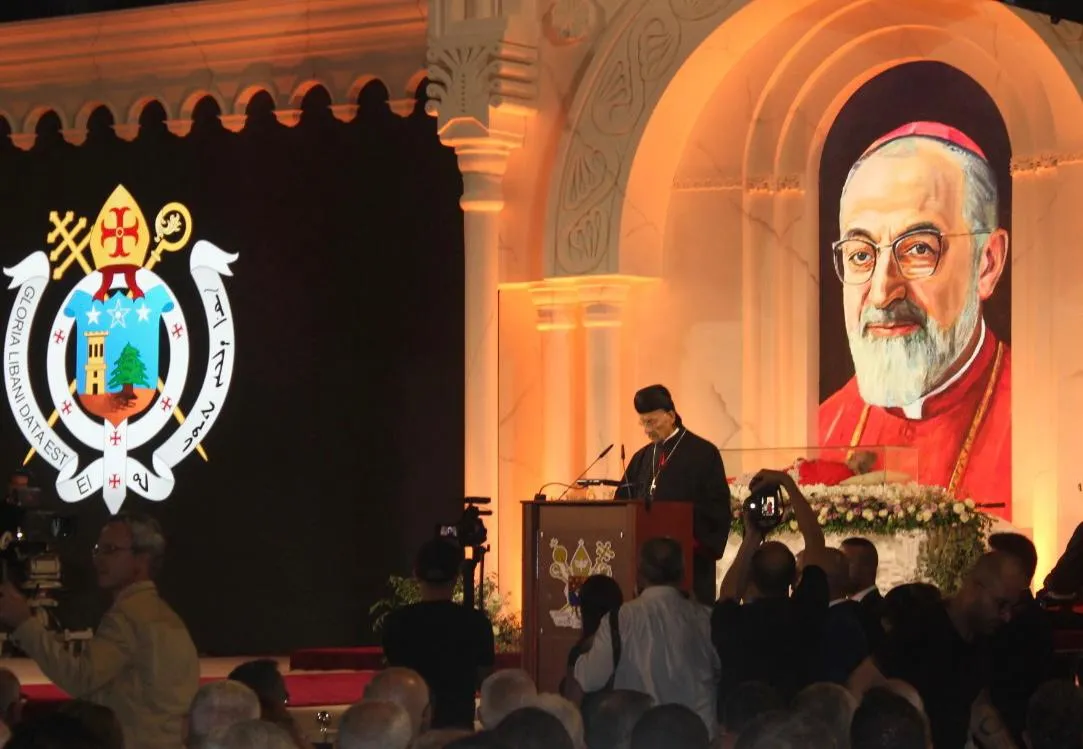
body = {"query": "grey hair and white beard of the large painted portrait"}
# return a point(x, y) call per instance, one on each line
point(897, 372)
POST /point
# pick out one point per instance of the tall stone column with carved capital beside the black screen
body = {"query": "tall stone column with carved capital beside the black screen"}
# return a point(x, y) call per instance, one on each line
point(482, 91)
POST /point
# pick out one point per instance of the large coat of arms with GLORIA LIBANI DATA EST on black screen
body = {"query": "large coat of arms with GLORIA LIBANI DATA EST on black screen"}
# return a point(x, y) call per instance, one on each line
point(112, 325)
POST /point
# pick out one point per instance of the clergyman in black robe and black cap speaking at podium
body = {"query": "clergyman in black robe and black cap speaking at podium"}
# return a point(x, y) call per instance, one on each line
point(680, 466)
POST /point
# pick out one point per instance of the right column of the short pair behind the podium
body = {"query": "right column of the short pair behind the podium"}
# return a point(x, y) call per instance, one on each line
point(603, 318)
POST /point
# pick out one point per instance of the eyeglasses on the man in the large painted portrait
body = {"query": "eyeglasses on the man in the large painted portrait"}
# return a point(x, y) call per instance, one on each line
point(917, 255)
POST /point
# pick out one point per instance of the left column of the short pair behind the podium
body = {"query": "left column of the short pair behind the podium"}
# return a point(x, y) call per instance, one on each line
point(556, 321)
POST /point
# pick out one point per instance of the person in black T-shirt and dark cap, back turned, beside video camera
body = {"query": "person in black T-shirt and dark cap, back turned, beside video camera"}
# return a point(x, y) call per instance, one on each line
point(450, 646)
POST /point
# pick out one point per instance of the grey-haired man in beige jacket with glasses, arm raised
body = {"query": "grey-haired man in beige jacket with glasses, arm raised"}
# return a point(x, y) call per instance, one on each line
point(141, 662)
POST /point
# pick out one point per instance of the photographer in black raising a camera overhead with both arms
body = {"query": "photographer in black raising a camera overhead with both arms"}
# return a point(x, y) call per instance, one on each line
point(766, 626)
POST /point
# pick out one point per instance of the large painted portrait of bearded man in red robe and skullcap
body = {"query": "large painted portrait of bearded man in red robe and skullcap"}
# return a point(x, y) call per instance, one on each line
point(920, 252)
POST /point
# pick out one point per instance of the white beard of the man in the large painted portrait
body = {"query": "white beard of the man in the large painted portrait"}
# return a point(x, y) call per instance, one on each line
point(894, 373)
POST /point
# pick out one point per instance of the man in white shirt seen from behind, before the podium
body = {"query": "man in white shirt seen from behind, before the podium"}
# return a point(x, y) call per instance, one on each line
point(666, 641)
